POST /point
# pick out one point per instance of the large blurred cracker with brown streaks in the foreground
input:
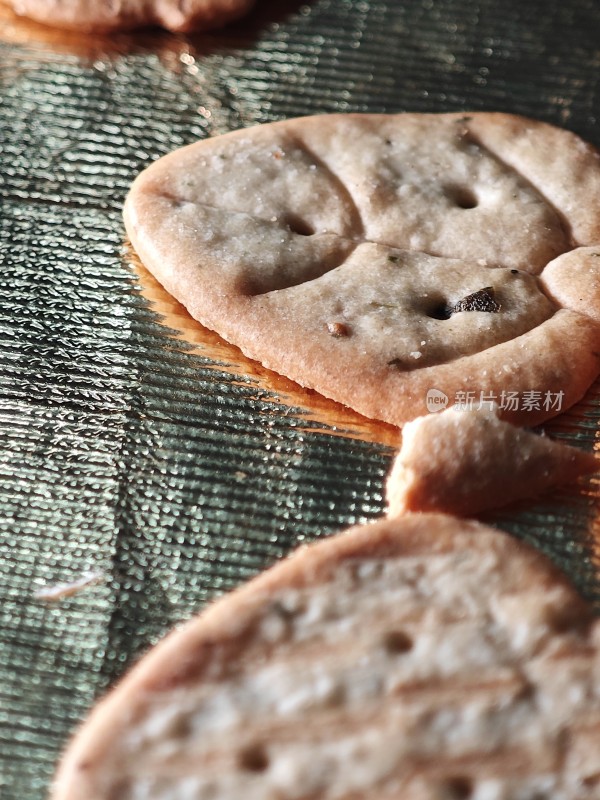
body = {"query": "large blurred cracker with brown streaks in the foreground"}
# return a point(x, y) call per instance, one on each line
point(422, 657)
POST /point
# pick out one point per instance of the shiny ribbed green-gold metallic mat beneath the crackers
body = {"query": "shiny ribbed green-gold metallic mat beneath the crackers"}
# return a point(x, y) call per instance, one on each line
point(136, 445)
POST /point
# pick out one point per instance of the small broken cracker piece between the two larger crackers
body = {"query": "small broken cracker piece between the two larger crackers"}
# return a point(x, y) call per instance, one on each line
point(468, 461)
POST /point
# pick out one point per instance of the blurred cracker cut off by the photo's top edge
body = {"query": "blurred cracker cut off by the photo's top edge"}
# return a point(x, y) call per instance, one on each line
point(108, 15)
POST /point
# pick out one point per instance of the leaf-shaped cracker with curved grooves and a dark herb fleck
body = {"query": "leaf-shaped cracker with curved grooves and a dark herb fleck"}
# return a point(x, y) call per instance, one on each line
point(375, 258)
